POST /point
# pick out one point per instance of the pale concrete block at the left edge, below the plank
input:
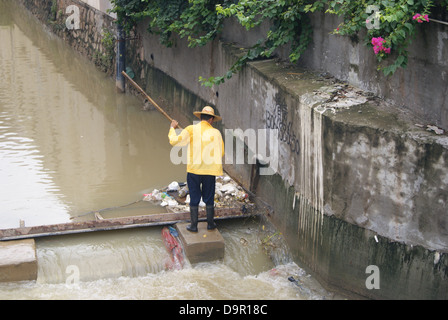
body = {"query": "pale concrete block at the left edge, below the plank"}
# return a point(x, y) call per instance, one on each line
point(18, 260)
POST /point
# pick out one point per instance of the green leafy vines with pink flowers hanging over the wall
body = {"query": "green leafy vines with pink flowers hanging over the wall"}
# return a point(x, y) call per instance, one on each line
point(389, 24)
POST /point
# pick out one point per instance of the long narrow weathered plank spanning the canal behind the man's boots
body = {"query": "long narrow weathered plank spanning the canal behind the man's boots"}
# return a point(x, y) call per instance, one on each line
point(113, 224)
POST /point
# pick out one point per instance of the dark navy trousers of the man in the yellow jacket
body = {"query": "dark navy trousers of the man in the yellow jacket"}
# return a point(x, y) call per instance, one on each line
point(207, 191)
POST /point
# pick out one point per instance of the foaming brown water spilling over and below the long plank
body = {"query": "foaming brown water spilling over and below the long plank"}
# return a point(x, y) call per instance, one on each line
point(131, 265)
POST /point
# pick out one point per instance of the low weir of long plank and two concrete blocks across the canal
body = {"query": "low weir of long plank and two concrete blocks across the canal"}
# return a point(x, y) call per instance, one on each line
point(18, 261)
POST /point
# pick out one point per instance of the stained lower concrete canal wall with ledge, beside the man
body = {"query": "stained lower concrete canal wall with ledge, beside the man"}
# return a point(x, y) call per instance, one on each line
point(359, 191)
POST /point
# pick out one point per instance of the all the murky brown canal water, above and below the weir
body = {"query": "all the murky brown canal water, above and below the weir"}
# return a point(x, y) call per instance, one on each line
point(70, 144)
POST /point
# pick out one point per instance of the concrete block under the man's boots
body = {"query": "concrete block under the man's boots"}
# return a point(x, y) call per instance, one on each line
point(201, 246)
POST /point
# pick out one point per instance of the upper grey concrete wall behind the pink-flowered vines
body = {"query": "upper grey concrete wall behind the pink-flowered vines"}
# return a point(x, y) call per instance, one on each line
point(420, 88)
